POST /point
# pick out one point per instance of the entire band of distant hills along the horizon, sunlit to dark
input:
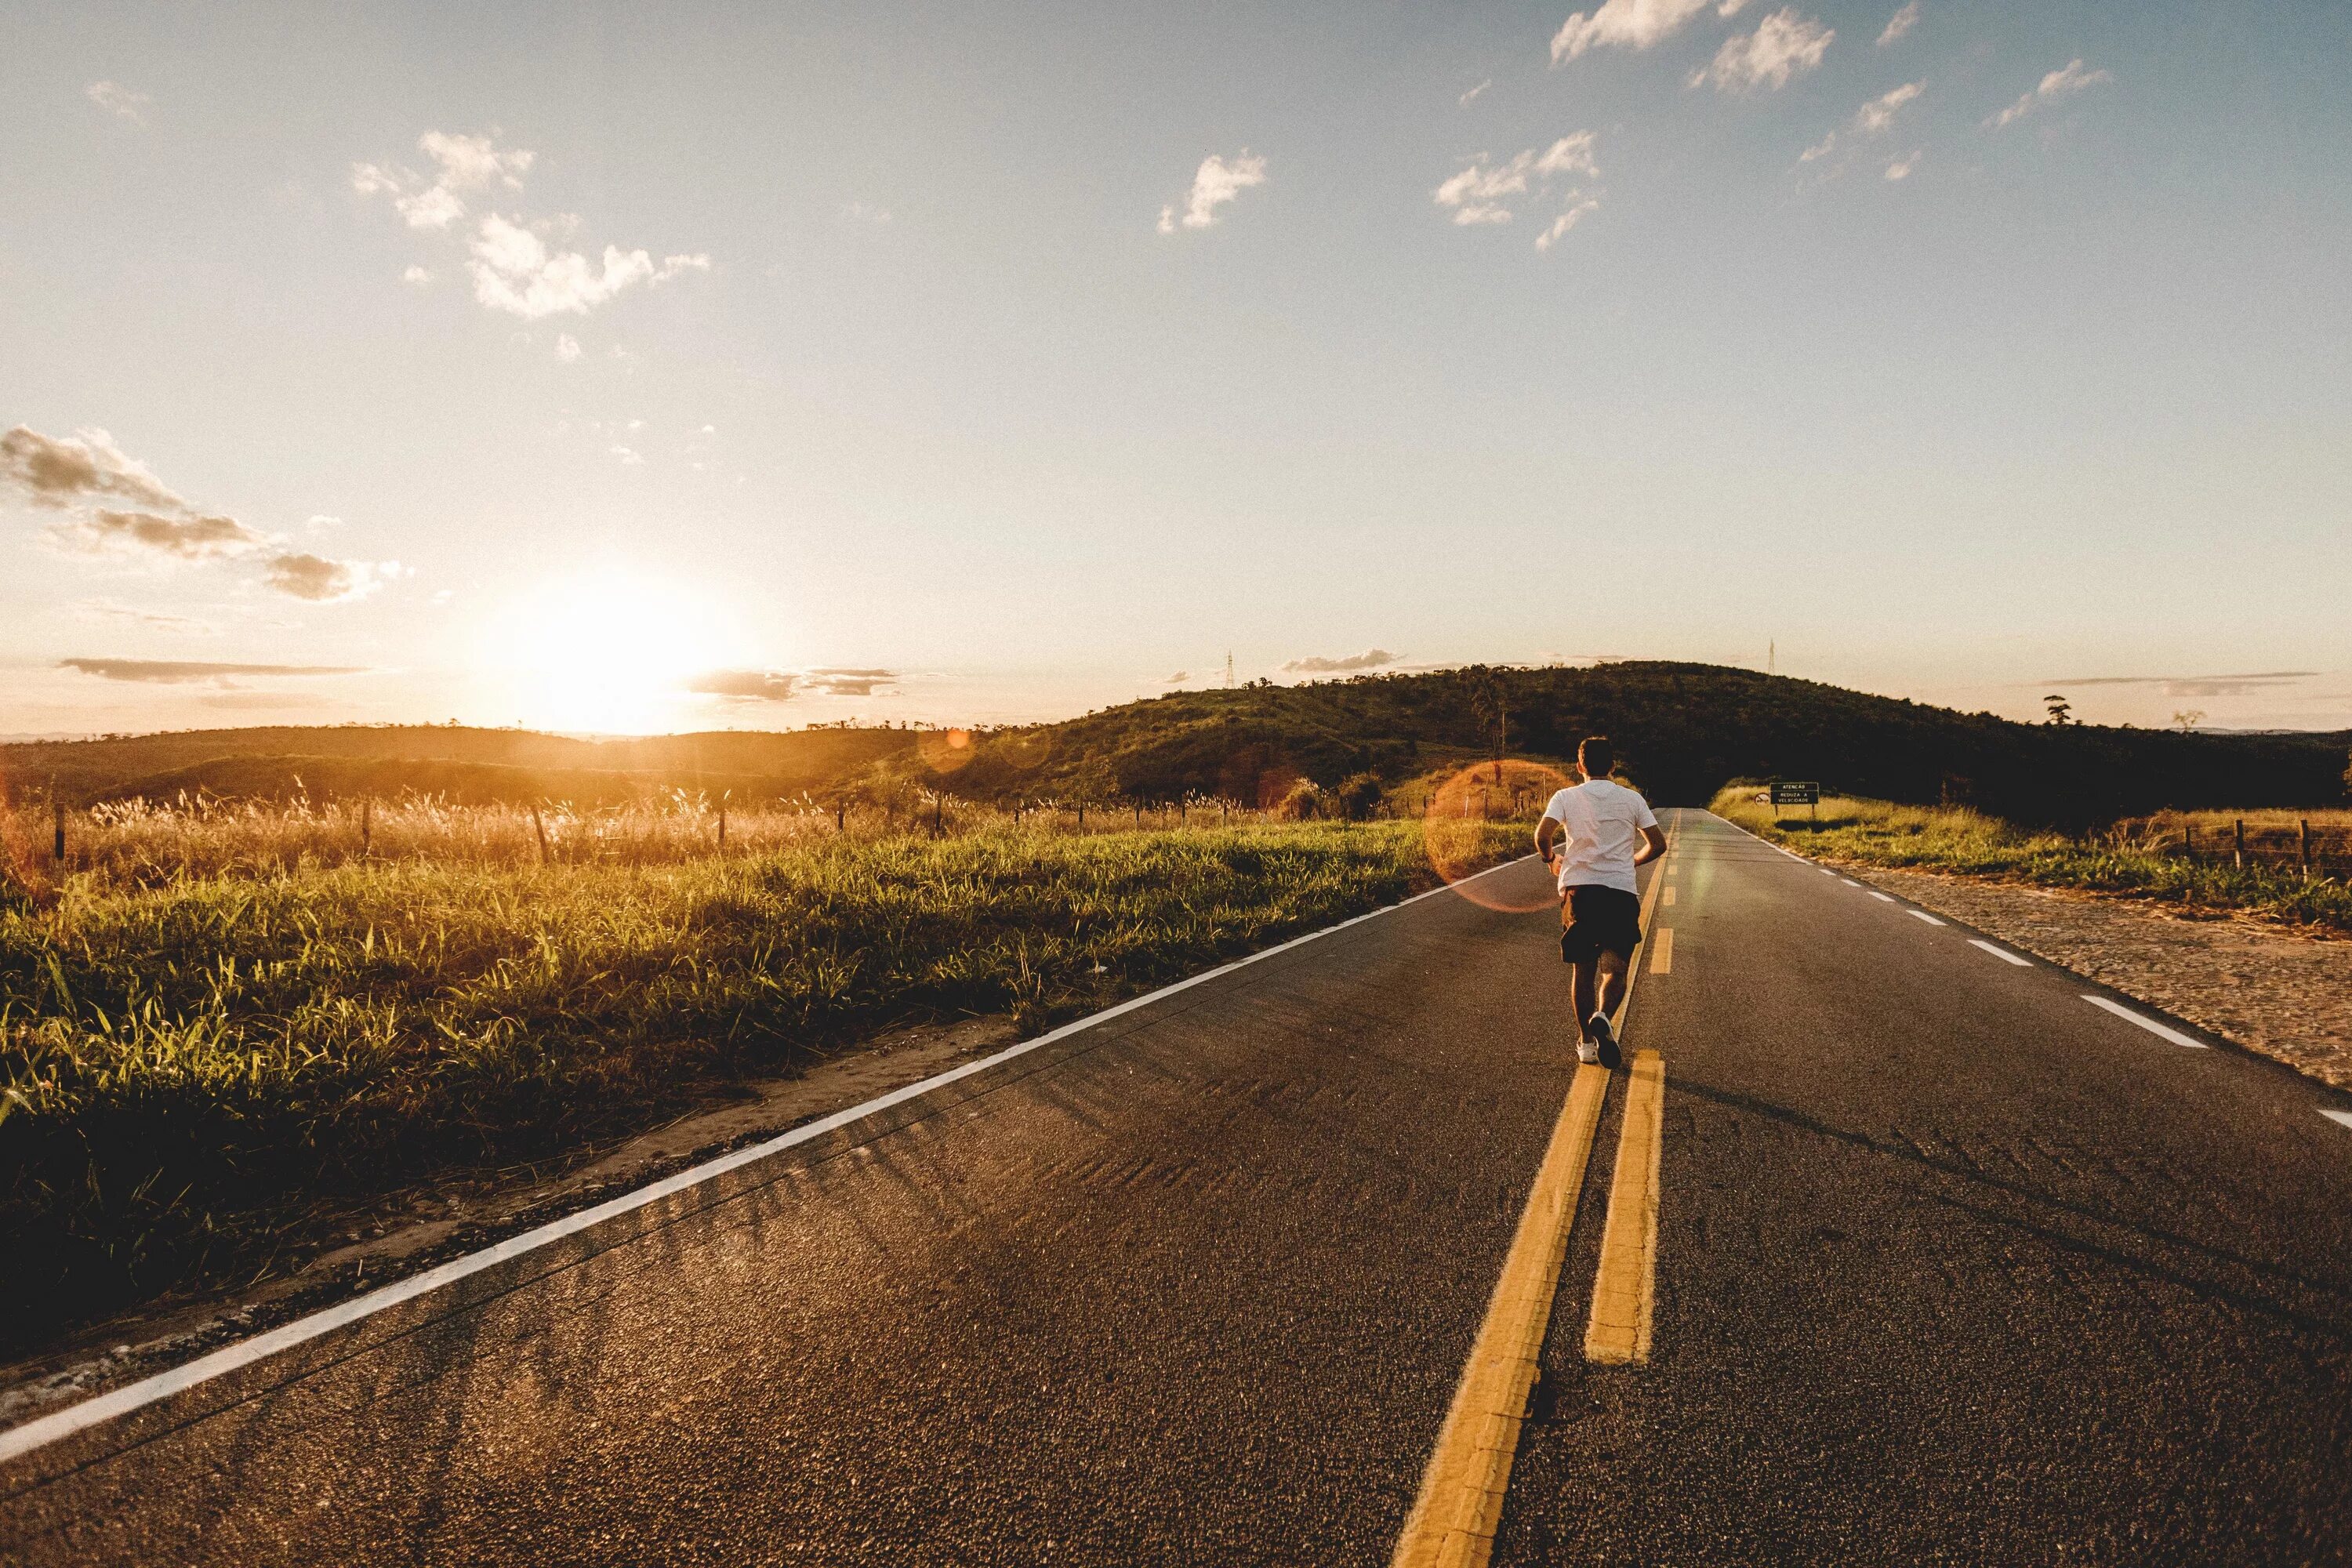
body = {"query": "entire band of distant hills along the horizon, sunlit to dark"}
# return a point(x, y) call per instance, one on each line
point(1681, 730)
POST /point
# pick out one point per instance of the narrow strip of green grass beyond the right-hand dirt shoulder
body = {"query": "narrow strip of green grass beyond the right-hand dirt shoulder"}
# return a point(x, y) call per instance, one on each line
point(2123, 864)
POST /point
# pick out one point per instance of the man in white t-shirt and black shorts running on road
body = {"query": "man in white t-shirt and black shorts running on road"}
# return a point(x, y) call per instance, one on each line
point(1608, 831)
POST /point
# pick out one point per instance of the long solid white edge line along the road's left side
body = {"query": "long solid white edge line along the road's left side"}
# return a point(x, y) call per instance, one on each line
point(32, 1435)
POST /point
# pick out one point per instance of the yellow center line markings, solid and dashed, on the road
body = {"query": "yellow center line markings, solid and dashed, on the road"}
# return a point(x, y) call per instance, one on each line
point(1462, 1492)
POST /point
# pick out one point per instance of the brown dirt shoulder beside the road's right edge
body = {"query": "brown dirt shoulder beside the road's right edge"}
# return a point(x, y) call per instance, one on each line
point(2264, 986)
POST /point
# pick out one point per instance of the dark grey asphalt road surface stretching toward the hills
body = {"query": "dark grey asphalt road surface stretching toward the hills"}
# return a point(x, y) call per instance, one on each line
point(1953, 1266)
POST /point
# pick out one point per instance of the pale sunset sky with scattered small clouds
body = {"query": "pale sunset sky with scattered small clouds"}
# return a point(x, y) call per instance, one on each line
point(615, 368)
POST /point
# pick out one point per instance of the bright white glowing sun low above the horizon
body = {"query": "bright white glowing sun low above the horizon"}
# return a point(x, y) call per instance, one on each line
point(606, 652)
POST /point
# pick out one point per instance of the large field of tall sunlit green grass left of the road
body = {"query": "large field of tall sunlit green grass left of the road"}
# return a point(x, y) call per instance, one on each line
point(194, 1076)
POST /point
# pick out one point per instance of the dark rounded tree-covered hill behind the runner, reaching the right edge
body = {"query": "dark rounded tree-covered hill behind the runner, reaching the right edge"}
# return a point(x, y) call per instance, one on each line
point(1683, 732)
